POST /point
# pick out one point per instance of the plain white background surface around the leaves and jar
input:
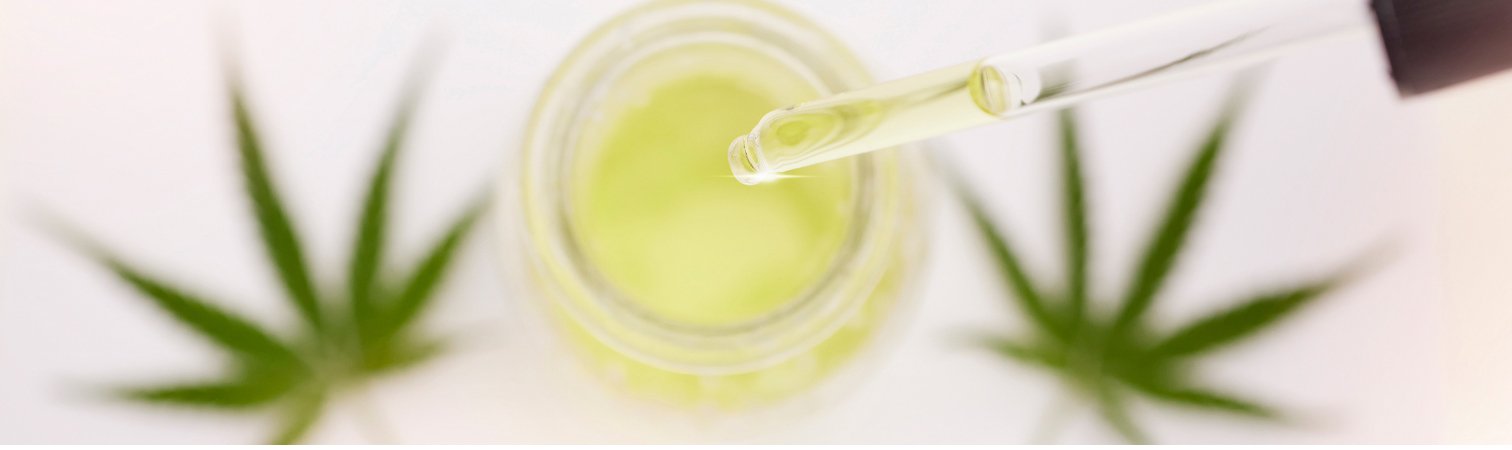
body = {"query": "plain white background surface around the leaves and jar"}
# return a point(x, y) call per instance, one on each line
point(113, 116)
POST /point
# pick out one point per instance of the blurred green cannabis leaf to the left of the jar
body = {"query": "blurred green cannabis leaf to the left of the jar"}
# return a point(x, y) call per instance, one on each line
point(338, 347)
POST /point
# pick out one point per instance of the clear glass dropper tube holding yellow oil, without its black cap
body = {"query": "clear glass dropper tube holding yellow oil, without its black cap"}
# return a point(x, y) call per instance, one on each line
point(1216, 37)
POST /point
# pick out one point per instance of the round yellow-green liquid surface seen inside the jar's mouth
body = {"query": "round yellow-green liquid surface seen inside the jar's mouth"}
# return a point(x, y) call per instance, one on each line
point(657, 212)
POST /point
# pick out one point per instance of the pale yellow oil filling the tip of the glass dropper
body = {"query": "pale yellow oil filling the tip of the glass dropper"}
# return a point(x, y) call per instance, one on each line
point(847, 125)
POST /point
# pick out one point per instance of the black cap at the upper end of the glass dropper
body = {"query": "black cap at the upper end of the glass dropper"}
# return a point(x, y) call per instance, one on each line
point(1436, 45)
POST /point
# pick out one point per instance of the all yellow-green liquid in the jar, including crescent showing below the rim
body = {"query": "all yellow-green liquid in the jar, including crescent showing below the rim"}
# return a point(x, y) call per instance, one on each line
point(657, 215)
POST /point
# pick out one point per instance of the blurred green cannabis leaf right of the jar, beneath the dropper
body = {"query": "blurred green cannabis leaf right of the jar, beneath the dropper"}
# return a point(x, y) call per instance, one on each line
point(1108, 359)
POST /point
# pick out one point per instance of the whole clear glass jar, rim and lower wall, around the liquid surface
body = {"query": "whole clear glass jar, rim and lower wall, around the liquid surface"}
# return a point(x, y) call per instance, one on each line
point(755, 362)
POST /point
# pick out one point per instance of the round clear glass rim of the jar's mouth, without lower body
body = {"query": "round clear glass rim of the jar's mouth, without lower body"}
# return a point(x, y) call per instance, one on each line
point(598, 306)
